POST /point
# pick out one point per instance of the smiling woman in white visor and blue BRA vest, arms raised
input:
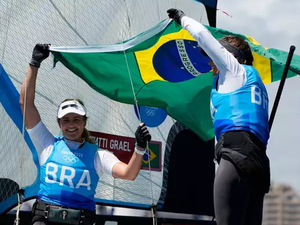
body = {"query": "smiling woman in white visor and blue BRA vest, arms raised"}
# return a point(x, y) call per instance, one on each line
point(66, 194)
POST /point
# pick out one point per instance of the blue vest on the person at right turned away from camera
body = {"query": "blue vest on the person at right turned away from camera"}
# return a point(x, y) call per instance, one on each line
point(243, 109)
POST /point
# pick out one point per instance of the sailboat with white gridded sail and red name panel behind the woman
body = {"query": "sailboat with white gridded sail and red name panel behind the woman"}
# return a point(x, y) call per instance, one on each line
point(169, 180)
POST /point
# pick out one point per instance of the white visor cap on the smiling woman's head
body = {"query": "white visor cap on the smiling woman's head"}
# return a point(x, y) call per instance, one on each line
point(72, 106)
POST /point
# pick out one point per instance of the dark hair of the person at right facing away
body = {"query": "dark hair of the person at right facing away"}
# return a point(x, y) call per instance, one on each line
point(242, 45)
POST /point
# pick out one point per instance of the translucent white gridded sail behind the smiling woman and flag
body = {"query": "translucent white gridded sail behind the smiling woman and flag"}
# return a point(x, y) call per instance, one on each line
point(24, 23)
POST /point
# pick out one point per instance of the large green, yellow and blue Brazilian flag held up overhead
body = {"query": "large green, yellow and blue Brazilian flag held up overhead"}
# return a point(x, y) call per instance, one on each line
point(166, 69)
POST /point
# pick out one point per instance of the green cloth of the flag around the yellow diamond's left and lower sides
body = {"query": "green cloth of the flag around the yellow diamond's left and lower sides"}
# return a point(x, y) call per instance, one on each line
point(108, 73)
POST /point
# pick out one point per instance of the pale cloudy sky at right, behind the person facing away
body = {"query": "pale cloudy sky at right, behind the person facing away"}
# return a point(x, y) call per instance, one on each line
point(274, 24)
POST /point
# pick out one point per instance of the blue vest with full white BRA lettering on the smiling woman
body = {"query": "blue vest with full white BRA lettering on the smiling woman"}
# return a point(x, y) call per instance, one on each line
point(68, 178)
